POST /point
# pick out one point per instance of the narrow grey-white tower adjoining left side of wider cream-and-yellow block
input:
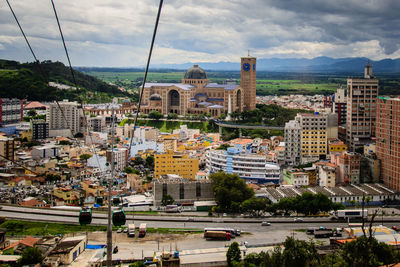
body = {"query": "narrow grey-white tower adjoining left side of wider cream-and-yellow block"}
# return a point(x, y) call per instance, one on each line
point(292, 142)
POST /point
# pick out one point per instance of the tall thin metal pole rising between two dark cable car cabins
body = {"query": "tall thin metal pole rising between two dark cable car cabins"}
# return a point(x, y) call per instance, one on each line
point(109, 225)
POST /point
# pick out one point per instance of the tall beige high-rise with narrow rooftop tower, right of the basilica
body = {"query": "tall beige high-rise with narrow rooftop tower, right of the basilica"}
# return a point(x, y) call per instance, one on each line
point(361, 109)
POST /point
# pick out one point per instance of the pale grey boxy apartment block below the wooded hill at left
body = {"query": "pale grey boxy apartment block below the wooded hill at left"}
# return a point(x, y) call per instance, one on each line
point(61, 120)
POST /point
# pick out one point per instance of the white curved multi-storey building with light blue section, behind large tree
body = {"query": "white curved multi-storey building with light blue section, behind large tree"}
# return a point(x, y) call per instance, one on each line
point(252, 168)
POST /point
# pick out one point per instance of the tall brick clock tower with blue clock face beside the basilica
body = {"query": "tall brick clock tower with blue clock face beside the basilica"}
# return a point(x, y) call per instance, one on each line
point(248, 82)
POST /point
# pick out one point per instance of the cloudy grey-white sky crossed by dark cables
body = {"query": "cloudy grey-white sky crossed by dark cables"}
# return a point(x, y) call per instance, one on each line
point(117, 33)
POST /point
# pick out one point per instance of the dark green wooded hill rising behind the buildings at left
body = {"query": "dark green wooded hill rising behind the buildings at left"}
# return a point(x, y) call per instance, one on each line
point(25, 81)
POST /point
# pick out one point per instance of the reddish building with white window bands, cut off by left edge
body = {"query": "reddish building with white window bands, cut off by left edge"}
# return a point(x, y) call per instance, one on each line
point(11, 111)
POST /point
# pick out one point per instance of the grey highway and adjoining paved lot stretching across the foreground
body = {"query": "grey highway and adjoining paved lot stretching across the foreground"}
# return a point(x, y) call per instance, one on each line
point(257, 235)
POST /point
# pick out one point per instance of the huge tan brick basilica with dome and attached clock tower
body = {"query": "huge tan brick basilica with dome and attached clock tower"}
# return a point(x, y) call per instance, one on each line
point(196, 95)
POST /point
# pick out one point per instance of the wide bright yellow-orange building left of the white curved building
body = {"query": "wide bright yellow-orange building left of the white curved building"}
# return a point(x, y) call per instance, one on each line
point(170, 163)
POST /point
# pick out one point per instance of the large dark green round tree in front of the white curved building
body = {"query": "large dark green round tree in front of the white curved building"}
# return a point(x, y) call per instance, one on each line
point(230, 191)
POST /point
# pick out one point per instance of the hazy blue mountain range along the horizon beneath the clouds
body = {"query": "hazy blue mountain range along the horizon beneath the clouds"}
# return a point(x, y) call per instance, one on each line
point(318, 64)
